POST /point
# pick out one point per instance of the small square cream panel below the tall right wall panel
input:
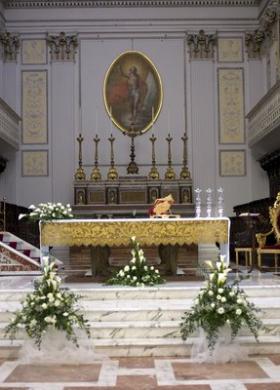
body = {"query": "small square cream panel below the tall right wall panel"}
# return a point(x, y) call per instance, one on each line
point(232, 163)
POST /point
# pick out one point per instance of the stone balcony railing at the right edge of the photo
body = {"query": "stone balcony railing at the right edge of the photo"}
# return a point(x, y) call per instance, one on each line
point(264, 118)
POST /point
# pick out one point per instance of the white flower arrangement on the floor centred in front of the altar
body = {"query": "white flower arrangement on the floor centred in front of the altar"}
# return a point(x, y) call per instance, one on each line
point(137, 273)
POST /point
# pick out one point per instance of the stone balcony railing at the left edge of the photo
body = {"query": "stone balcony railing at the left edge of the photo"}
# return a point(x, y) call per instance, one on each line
point(9, 125)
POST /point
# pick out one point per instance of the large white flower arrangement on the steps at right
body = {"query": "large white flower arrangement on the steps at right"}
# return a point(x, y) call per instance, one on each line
point(218, 304)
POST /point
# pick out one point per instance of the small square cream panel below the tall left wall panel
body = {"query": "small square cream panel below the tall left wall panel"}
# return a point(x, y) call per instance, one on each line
point(35, 163)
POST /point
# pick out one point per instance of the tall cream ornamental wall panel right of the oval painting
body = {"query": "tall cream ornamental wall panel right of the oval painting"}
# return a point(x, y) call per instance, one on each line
point(231, 106)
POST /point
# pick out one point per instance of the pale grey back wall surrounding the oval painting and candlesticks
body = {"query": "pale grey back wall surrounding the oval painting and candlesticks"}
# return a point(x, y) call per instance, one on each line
point(190, 94)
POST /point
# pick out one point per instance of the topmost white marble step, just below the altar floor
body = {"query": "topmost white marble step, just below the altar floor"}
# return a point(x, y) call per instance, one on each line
point(163, 292)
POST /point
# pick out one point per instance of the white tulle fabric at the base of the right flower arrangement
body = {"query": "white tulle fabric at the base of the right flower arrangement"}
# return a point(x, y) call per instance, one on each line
point(225, 349)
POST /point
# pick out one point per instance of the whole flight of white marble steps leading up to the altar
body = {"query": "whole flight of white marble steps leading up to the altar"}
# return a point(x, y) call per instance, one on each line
point(127, 321)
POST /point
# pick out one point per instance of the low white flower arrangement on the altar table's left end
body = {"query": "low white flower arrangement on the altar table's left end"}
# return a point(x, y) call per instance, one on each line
point(48, 211)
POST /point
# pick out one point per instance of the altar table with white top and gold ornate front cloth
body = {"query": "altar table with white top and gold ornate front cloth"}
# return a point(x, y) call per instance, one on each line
point(167, 234)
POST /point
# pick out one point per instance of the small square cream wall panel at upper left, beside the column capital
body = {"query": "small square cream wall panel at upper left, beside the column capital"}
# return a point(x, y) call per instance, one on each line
point(34, 52)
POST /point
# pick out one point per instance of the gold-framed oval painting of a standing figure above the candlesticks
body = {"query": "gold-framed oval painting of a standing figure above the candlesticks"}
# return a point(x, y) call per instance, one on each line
point(133, 93)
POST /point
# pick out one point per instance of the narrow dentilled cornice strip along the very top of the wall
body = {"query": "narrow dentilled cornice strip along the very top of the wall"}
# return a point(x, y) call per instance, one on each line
point(127, 3)
